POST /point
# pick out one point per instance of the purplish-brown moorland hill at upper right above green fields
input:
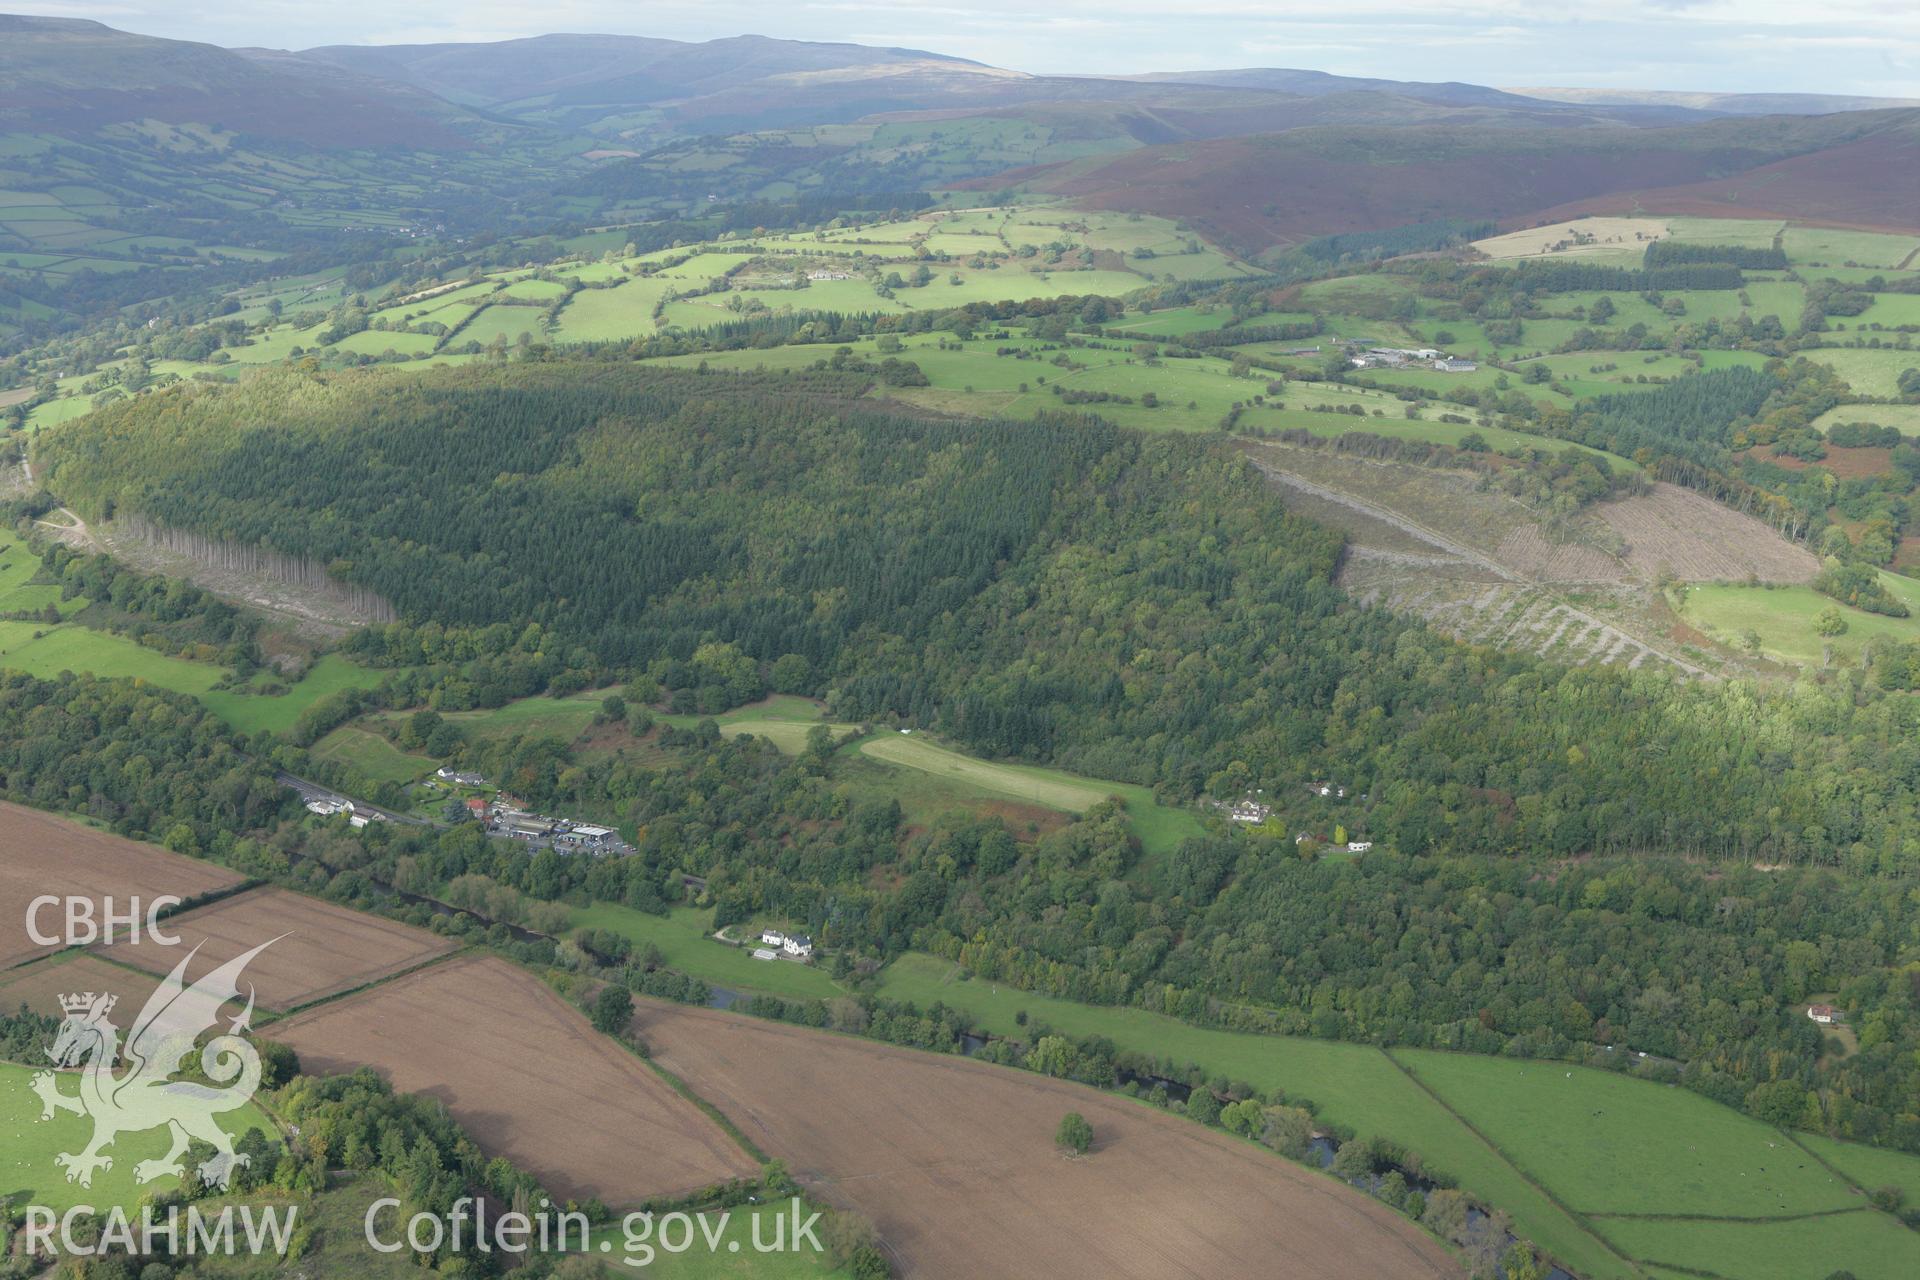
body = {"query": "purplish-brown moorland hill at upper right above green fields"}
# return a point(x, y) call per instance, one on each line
point(1260, 191)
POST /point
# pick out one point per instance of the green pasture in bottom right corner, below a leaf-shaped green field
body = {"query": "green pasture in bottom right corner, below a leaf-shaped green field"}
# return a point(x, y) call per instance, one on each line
point(1867, 1244)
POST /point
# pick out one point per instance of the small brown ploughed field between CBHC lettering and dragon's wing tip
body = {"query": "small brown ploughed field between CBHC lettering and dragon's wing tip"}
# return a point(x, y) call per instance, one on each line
point(318, 949)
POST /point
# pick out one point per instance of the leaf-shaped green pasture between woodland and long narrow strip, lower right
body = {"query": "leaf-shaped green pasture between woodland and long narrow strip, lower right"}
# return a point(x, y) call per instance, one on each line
point(1612, 1145)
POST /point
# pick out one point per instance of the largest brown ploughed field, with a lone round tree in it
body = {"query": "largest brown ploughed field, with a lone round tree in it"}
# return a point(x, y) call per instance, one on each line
point(955, 1164)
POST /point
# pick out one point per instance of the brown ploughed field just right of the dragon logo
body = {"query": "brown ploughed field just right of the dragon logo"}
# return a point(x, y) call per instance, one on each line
point(527, 1078)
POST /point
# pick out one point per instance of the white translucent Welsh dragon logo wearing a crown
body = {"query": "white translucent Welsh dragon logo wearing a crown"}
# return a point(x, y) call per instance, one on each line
point(143, 1097)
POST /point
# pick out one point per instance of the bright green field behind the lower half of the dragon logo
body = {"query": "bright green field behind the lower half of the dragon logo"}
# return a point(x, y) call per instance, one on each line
point(28, 1170)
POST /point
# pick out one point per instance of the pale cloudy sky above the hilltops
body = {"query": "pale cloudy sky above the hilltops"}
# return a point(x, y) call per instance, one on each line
point(1836, 47)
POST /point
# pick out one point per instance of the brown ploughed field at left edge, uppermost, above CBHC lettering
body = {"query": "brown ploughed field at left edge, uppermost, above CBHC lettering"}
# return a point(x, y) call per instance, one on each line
point(45, 855)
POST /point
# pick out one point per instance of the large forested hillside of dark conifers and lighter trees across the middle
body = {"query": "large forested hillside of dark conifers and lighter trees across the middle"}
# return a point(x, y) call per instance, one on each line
point(1120, 605)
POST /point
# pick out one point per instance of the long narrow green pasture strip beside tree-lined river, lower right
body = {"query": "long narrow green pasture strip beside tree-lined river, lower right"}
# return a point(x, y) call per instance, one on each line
point(1351, 1085)
